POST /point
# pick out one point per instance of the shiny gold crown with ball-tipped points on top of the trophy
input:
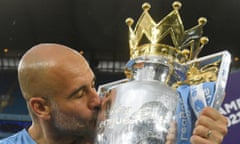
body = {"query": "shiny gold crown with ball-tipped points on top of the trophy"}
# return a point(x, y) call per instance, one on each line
point(185, 45)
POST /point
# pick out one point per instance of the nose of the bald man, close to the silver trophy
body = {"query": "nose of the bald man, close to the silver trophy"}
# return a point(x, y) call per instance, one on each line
point(94, 100)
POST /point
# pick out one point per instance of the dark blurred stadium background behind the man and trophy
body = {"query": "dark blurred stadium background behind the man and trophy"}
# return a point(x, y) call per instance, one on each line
point(97, 29)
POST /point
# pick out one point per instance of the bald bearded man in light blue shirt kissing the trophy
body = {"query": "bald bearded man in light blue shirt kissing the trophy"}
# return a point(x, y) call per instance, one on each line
point(58, 86)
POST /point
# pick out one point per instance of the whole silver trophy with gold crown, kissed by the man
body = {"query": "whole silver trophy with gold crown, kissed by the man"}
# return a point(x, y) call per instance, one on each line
point(144, 107)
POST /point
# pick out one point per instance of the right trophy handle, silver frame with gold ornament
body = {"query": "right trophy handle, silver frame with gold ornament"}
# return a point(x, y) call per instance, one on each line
point(211, 68)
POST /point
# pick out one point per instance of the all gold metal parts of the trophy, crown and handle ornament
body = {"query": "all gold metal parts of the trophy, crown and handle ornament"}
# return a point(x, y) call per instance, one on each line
point(186, 44)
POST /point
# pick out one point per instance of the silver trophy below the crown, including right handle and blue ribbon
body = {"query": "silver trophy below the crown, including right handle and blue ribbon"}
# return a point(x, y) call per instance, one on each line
point(151, 108)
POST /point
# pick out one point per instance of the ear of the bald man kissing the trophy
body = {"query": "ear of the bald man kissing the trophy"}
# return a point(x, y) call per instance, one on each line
point(40, 107)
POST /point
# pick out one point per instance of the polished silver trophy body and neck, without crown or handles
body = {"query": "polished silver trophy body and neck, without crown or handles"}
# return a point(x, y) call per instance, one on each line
point(139, 111)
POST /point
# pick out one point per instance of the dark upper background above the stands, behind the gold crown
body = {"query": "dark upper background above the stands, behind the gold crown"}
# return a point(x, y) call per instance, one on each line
point(98, 27)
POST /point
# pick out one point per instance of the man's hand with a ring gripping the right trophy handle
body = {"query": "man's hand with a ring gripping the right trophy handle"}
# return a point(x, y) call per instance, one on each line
point(210, 128)
